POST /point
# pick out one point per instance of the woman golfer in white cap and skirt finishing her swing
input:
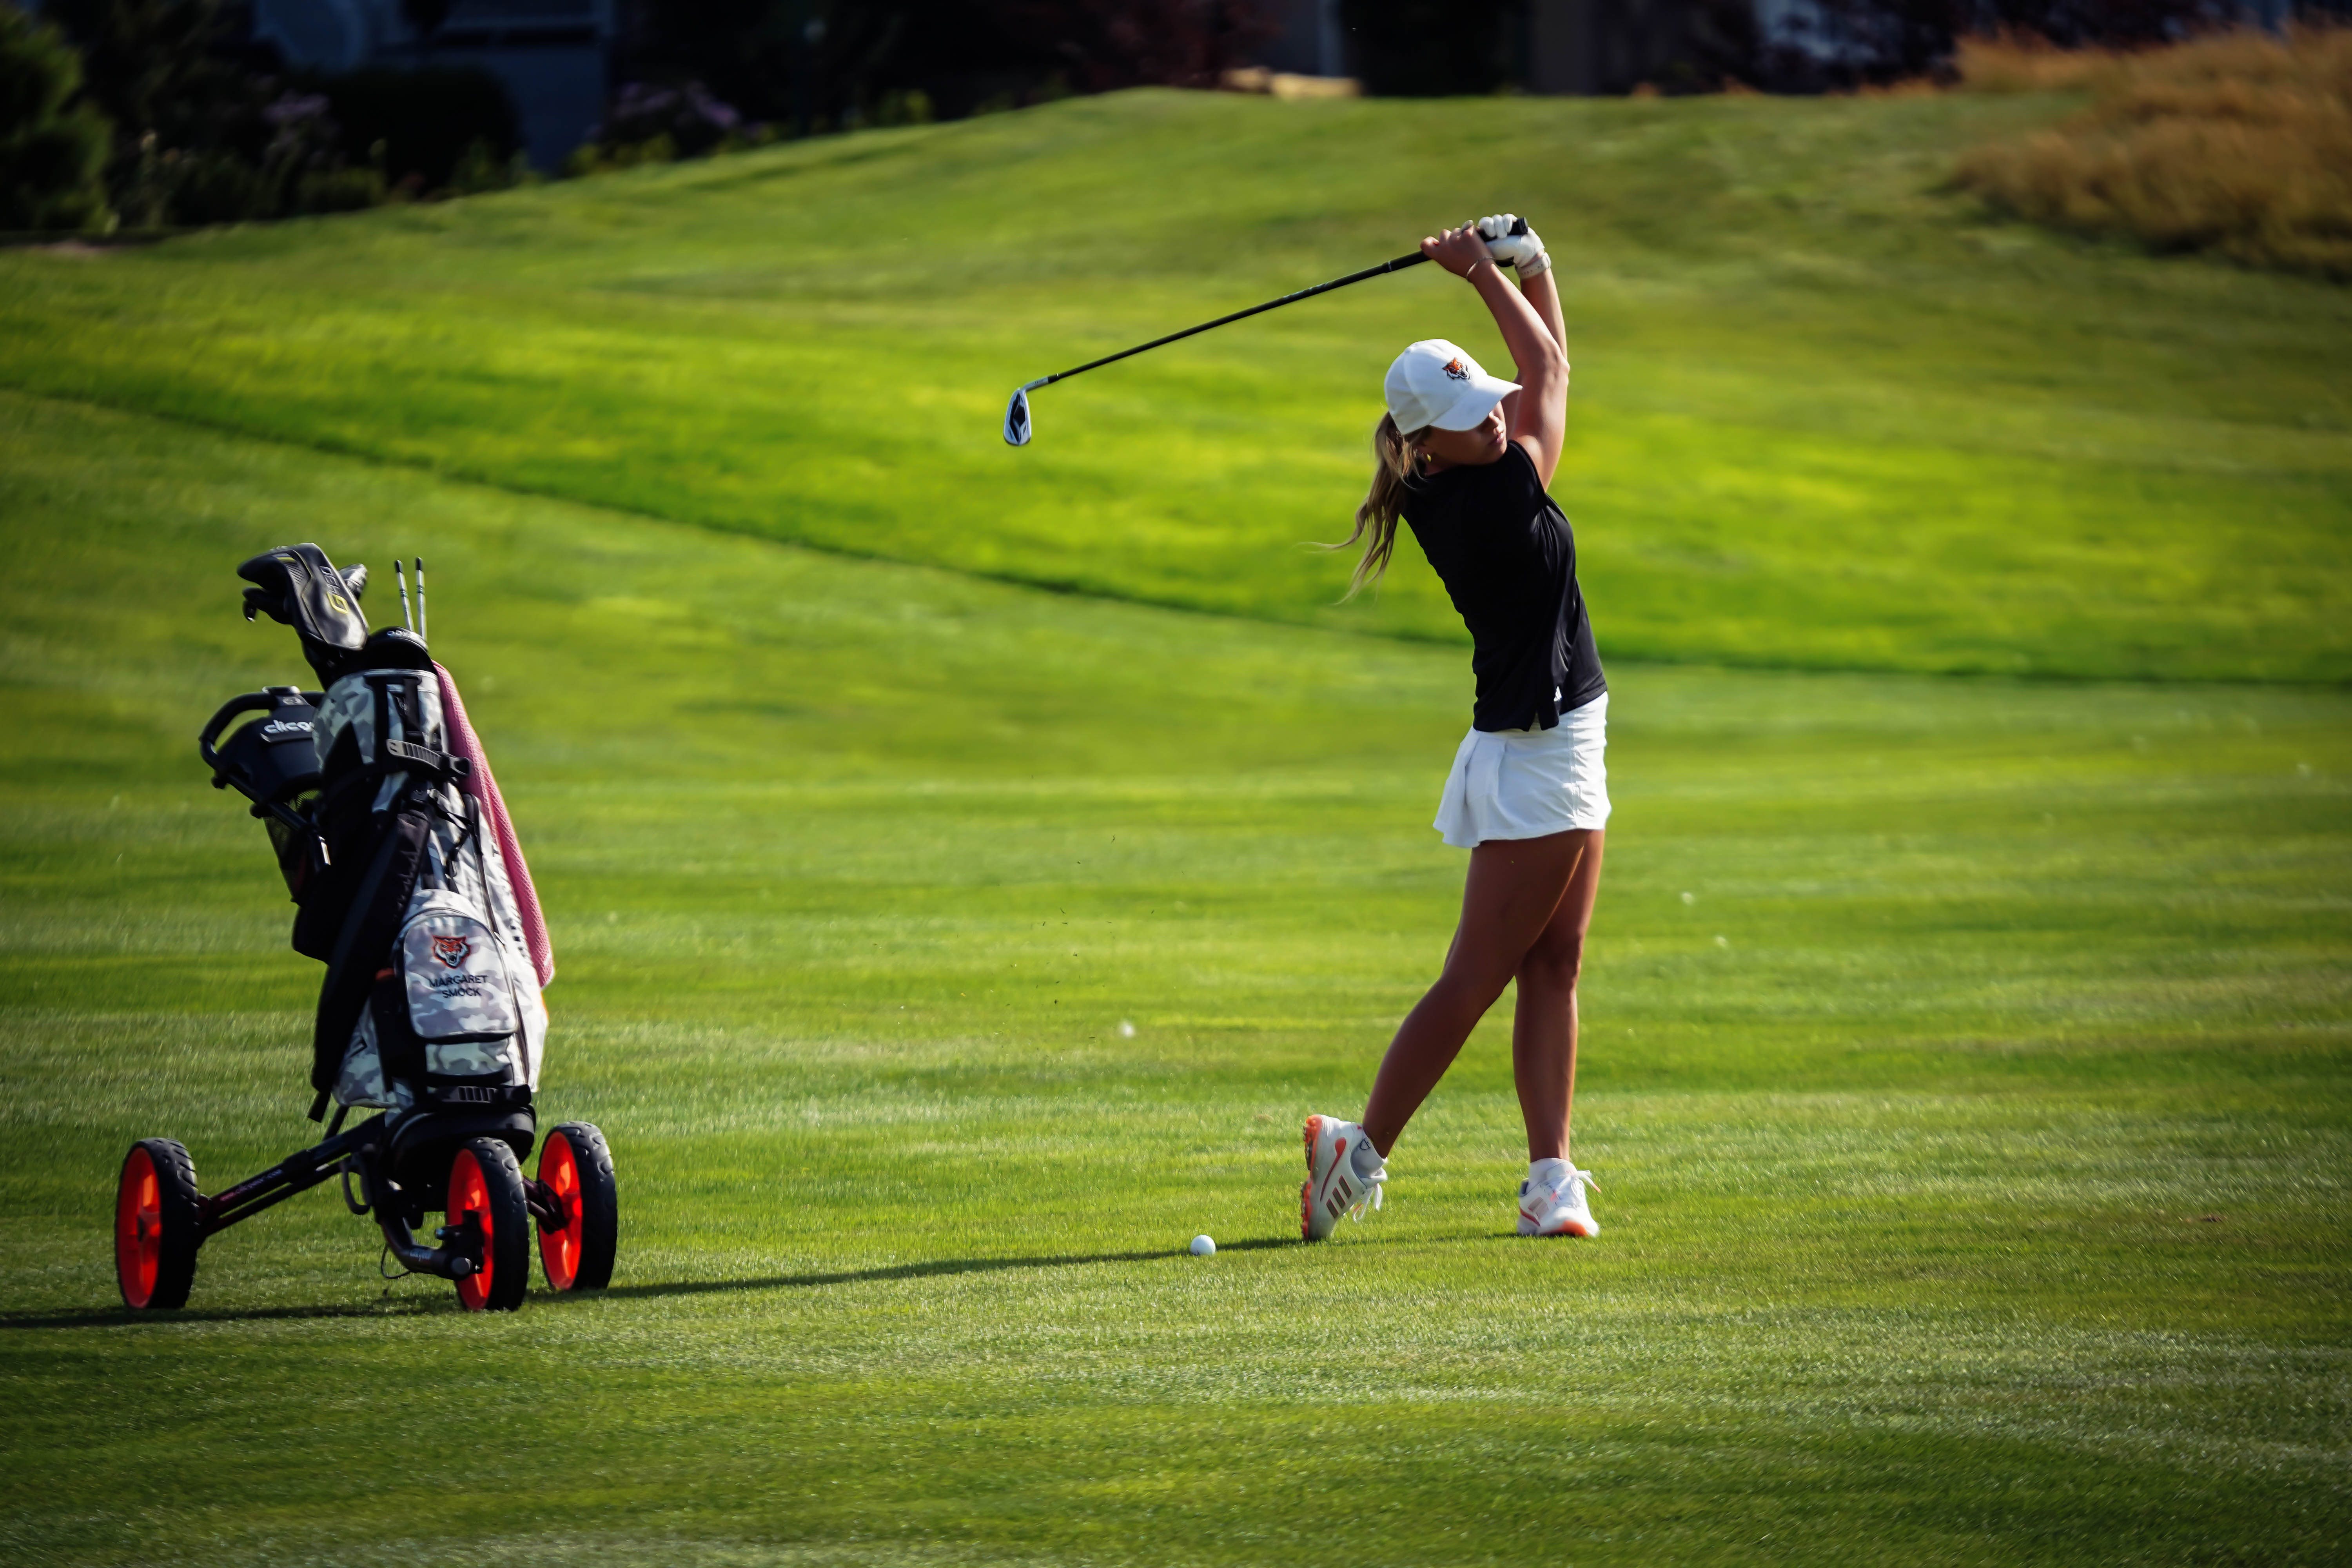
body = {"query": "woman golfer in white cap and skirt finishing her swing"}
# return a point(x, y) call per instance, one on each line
point(1466, 462)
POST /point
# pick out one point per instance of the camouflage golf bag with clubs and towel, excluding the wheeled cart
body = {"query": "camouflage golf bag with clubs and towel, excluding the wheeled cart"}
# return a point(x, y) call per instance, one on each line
point(403, 887)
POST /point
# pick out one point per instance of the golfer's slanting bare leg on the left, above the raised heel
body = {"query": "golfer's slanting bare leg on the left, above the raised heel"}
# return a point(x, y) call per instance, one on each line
point(1509, 902)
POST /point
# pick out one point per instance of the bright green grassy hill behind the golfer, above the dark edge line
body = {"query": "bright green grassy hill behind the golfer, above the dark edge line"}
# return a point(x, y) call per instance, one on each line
point(1824, 415)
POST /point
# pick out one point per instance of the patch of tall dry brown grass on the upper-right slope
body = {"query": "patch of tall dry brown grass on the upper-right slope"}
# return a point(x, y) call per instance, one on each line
point(2236, 145)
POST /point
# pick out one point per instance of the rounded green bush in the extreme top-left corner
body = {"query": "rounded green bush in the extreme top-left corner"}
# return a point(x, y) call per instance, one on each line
point(53, 152)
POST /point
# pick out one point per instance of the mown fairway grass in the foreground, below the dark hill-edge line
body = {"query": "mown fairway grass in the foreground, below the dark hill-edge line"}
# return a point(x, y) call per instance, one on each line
point(1965, 1073)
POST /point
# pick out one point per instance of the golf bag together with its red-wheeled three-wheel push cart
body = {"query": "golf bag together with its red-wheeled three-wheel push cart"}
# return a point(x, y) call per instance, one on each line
point(410, 887)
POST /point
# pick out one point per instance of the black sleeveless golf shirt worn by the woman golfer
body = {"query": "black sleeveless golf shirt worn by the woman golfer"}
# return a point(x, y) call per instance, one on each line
point(1506, 556)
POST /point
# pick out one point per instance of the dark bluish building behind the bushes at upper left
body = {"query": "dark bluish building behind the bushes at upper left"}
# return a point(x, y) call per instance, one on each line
point(554, 58)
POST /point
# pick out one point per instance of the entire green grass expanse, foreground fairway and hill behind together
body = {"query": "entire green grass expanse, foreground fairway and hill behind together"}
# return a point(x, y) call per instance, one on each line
point(1967, 1061)
